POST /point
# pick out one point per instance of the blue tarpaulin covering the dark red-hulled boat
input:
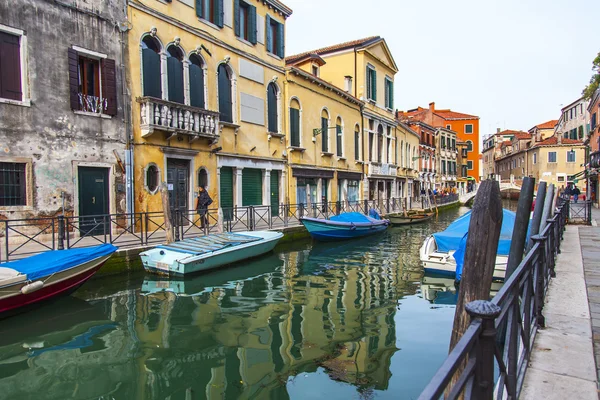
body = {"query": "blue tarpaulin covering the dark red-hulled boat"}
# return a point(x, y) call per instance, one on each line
point(53, 261)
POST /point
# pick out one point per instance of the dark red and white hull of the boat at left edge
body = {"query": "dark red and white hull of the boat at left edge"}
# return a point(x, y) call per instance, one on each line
point(13, 300)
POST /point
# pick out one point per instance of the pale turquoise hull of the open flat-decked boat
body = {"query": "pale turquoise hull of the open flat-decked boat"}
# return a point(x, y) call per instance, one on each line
point(186, 265)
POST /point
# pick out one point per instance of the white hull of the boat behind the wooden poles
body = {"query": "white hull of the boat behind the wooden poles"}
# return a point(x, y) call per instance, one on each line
point(443, 264)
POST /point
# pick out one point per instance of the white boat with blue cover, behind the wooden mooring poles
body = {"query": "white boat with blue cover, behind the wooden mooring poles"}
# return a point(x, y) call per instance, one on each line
point(443, 252)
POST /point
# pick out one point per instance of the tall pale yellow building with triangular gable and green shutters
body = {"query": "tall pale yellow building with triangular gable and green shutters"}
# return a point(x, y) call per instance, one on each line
point(365, 69)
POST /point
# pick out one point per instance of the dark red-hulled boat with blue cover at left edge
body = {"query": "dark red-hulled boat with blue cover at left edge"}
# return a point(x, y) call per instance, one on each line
point(47, 275)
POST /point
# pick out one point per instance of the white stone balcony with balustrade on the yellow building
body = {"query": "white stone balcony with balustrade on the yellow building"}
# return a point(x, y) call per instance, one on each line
point(177, 119)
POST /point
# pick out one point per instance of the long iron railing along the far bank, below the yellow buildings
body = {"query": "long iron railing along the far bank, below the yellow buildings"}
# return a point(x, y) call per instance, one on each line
point(23, 237)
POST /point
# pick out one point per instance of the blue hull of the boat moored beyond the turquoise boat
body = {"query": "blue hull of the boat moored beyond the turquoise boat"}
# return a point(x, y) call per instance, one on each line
point(328, 231)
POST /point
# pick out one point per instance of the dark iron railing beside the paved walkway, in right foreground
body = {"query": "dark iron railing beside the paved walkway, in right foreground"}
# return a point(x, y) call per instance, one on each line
point(496, 347)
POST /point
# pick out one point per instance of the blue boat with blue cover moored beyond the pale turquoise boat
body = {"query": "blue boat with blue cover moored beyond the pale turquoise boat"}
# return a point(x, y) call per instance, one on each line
point(344, 226)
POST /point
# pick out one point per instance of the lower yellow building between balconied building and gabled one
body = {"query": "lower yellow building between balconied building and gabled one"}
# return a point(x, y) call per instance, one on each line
point(324, 146)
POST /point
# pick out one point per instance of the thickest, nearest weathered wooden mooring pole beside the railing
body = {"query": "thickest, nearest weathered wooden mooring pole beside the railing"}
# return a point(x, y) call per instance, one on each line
point(480, 257)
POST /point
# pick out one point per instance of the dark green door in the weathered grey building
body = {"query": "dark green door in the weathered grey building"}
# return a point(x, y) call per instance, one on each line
point(93, 200)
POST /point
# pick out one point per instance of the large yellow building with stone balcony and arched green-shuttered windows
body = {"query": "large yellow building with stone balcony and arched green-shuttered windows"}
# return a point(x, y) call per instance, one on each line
point(206, 81)
